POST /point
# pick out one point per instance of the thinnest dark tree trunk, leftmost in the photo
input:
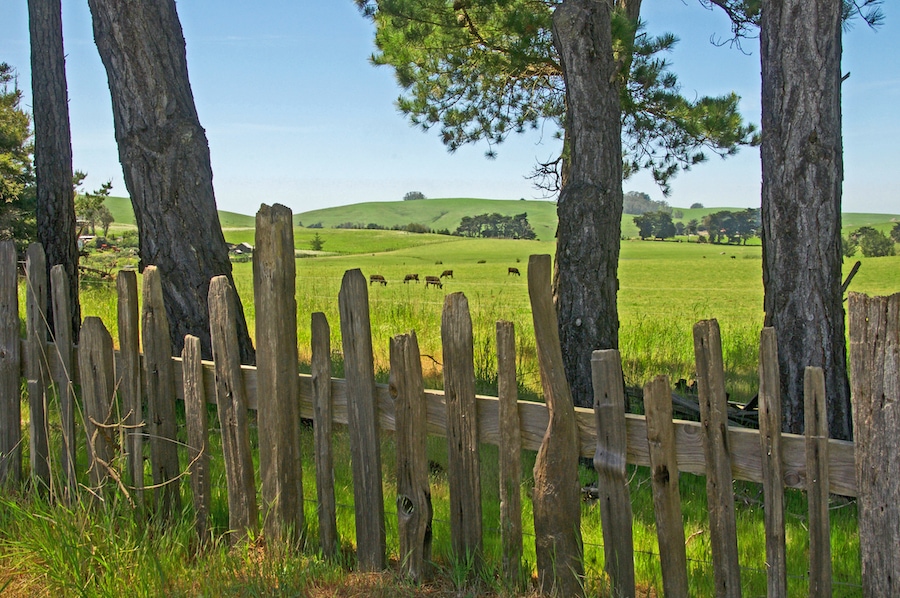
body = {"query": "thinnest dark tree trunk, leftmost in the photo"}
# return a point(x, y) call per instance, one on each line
point(53, 147)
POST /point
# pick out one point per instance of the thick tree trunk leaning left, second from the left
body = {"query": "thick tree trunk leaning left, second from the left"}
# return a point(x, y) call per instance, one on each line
point(165, 160)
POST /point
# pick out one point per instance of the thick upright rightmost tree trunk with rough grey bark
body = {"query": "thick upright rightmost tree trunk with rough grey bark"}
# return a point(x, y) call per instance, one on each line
point(802, 168)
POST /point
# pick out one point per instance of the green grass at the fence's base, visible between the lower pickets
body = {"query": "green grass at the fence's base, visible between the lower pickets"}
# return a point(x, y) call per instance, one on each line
point(94, 548)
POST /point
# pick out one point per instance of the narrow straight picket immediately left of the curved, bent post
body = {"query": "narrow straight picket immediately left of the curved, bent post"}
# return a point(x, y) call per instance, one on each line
point(510, 456)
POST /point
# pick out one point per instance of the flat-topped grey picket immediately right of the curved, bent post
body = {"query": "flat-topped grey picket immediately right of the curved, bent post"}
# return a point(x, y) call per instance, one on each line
point(610, 463)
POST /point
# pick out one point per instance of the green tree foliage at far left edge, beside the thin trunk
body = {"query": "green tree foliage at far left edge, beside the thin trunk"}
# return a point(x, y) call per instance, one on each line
point(18, 194)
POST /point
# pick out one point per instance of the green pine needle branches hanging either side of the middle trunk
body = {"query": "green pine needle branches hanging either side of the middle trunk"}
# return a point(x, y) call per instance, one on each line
point(481, 69)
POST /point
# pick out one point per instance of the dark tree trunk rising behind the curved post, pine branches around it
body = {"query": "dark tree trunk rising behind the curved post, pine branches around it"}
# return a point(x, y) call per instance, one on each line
point(590, 204)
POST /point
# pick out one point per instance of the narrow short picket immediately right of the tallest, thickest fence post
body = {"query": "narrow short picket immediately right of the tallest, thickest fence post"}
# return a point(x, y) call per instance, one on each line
point(322, 415)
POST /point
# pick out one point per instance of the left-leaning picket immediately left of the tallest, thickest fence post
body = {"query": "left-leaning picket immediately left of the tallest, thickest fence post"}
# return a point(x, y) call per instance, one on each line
point(232, 407)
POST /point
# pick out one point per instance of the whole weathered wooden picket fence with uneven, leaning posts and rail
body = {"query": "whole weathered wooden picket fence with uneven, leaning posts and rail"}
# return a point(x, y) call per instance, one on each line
point(149, 382)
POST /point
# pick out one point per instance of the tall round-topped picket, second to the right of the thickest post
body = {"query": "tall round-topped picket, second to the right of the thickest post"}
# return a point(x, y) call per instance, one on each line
point(362, 417)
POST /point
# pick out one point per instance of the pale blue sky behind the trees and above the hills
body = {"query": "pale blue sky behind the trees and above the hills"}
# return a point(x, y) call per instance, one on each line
point(296, 114)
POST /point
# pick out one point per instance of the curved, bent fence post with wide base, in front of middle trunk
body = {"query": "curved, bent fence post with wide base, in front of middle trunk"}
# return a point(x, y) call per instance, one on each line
point(557, 495)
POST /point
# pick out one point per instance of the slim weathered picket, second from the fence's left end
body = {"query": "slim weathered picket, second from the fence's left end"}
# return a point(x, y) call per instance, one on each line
point(37, 370)
